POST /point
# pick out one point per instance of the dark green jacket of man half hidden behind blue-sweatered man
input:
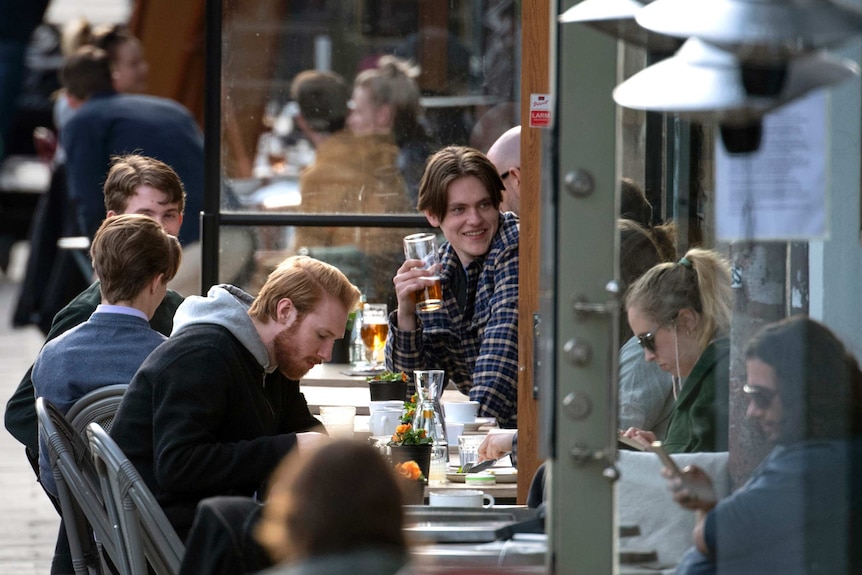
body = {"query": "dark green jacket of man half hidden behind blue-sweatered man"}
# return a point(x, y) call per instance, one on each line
point(20, 417)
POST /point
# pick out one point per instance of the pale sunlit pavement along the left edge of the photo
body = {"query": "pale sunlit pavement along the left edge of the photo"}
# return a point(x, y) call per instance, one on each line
point(28, 521)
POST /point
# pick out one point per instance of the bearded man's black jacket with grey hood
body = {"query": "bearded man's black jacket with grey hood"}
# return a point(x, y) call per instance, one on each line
point(206, 415)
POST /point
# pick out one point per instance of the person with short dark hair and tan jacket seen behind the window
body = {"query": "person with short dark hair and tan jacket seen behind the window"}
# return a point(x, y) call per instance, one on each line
point(351, 174)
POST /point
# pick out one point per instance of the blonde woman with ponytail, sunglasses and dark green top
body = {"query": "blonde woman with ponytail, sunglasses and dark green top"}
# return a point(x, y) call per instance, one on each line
point(680, 313)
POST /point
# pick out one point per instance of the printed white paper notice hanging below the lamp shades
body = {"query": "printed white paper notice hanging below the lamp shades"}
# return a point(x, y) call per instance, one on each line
point(779, 191)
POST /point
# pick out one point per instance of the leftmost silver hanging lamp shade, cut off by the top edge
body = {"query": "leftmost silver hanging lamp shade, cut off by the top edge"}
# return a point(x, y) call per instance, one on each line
point(617, 18)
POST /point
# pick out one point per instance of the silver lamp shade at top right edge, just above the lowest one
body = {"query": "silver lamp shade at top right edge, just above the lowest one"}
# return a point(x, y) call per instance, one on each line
point(755, 30)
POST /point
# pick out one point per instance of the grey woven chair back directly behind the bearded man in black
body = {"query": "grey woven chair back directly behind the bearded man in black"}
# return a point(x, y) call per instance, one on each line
point(150, 539)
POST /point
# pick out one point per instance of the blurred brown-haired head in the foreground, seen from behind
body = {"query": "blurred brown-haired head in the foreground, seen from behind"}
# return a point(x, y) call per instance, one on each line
point(341, 497)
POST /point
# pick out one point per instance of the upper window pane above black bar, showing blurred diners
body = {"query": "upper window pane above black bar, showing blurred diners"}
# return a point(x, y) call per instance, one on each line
point(333, 107)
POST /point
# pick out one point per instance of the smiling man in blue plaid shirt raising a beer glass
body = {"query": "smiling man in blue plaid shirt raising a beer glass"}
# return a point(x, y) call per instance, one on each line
point(472, 333)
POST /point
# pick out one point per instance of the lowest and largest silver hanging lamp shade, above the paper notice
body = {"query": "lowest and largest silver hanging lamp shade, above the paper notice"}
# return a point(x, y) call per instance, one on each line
point(703, 83)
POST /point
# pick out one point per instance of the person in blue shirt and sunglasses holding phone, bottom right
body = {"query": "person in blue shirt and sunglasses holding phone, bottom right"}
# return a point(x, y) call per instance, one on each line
point(799, 512)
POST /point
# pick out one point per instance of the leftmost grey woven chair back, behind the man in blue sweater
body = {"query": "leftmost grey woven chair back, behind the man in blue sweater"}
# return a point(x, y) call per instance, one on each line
point(92, 533)
